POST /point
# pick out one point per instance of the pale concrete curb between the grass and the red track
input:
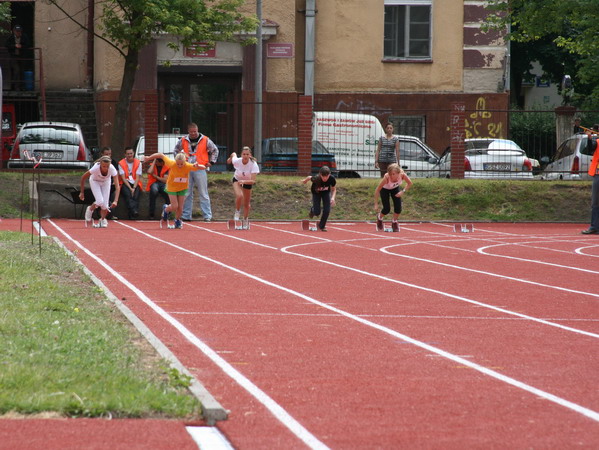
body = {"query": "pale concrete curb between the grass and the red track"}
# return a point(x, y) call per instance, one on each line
point(212, 411)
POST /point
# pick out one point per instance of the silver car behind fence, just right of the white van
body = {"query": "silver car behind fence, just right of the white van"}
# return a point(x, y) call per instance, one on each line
point(490, 159)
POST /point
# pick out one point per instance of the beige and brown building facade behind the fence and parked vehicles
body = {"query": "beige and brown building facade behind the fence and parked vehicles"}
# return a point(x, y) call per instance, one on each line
point(405, 61)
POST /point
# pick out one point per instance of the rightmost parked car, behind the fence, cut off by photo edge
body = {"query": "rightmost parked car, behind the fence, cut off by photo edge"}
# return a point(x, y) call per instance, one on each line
point(572, 158)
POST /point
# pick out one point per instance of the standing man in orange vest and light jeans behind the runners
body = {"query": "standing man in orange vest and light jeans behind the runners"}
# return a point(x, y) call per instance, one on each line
point(200, 149)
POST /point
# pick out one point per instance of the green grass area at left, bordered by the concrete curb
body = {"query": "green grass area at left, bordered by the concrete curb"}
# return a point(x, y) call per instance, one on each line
point(67, 349)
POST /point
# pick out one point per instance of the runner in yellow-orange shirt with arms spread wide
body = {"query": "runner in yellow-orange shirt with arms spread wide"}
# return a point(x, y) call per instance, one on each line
point(176, 183)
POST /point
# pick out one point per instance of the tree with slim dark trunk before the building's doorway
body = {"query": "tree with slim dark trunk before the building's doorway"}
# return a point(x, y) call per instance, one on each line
point(130, 25)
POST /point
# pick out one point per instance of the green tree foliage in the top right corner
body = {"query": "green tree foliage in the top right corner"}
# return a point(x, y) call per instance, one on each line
point(562, 35)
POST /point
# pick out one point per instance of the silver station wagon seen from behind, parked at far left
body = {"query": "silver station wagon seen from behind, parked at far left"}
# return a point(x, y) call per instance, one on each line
point(55, 145)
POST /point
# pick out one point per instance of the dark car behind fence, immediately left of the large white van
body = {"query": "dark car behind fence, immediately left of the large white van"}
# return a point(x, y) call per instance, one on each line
point(280, 155)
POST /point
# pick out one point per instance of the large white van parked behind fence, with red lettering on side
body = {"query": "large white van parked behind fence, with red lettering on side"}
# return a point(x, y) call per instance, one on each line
point(353, 139)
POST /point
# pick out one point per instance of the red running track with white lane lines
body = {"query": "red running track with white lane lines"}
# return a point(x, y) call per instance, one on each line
point(358, 339)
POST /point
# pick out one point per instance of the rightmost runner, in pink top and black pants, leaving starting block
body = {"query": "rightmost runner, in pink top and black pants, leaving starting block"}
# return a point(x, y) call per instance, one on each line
point(390, 187)
